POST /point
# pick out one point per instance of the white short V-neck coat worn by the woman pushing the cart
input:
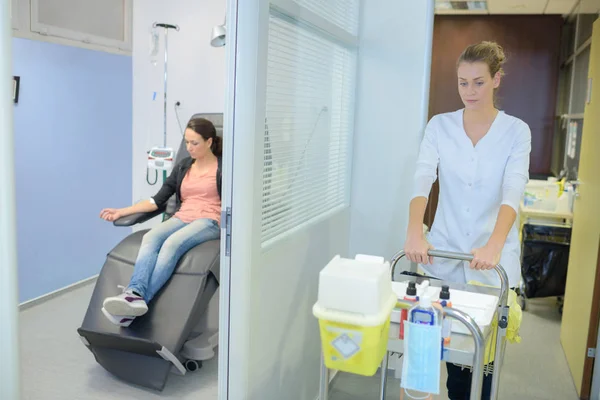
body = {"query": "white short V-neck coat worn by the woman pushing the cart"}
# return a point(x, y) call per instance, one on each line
point(474, 182)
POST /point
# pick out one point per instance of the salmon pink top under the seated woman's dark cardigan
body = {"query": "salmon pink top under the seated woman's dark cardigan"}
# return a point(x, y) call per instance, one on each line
point(199, 197)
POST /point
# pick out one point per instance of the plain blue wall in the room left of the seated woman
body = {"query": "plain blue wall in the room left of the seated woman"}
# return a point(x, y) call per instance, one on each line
point(73, 151)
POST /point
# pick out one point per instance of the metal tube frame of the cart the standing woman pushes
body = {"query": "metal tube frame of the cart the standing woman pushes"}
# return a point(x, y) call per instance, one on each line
point(461, 350)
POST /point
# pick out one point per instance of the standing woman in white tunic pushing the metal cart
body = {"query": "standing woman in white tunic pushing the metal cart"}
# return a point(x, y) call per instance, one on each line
point(481, 155)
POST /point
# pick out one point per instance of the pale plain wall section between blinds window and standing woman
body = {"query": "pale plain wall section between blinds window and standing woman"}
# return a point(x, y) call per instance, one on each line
point(391, 113)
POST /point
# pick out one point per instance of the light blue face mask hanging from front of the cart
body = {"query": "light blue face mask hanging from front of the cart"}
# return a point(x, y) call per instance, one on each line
point(422, 366)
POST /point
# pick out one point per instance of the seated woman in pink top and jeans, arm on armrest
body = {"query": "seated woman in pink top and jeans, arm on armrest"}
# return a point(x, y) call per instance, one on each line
point(195, 182)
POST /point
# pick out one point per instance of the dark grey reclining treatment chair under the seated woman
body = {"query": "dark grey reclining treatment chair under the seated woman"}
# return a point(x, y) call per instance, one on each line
point(180, 329)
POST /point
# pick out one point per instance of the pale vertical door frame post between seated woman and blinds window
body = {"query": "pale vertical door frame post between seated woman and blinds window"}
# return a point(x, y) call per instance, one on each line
point(246, 29)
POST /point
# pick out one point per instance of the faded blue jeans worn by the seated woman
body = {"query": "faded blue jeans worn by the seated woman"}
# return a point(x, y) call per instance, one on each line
point(161, 249)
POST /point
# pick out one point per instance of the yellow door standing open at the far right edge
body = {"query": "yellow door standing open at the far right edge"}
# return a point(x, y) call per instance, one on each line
point(582, 297)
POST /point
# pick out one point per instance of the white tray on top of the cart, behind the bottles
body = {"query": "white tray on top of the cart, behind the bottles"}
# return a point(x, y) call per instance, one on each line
point(481, 307)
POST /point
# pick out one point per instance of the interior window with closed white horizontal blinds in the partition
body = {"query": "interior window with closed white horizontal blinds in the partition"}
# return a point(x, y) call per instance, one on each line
point(309, 123)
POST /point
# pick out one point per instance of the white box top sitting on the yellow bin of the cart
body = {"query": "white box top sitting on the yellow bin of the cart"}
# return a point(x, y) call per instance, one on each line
point(360, 286)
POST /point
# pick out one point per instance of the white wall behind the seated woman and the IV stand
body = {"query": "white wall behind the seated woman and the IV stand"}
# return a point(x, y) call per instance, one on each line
point(196, 77)
